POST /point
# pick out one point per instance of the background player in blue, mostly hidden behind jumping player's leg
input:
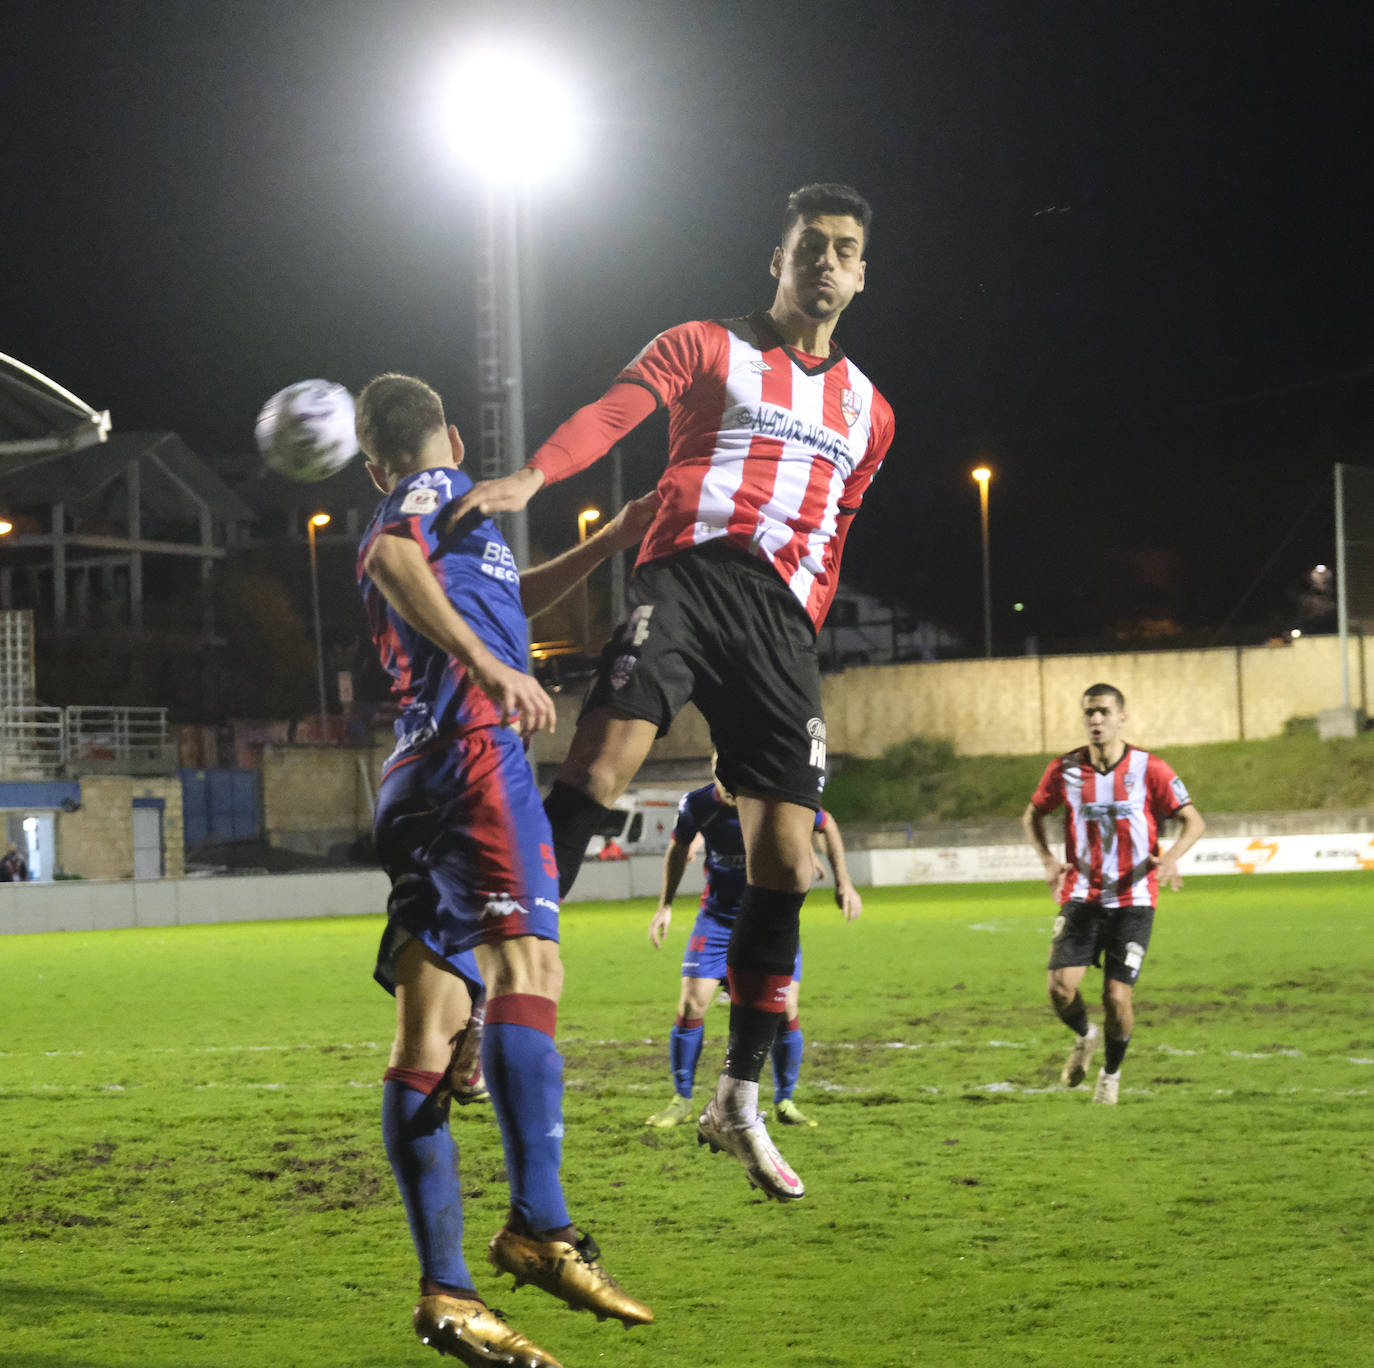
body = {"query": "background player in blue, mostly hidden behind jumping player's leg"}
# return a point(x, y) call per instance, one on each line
point(711, 814)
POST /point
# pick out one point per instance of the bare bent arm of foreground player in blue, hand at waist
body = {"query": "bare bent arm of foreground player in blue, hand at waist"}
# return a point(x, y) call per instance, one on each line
point(398, 567)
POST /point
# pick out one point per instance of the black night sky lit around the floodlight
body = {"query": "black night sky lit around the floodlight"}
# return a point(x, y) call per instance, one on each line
point(1120, 252)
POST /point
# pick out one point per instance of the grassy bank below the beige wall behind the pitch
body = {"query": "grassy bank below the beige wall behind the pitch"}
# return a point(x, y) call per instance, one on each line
point(925, 781)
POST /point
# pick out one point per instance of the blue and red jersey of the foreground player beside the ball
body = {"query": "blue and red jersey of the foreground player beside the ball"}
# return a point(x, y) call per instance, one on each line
point(479, 576)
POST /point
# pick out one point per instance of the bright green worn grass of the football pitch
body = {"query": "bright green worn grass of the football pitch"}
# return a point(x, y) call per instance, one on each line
point(193, 1179)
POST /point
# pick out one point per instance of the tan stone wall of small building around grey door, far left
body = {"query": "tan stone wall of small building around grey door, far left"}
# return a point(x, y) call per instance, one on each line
point(97, 841)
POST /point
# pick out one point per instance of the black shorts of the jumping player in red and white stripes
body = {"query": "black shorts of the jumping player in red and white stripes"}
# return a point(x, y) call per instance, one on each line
point(718, 627)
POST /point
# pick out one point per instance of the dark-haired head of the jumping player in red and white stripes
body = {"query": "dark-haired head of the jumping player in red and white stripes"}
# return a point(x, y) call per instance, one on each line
point(820, 264)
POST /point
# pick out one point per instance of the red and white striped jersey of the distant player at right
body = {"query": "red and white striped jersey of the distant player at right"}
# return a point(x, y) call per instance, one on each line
point(1112, 823)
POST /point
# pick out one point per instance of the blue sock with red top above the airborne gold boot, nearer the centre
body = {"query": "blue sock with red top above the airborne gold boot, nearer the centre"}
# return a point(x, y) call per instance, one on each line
point(526, 1076)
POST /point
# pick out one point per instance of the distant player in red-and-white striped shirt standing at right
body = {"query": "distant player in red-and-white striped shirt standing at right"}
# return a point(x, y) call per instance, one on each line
point(1115, 797)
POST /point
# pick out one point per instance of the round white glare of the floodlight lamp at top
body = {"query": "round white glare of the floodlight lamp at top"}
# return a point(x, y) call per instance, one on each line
point(510, 113)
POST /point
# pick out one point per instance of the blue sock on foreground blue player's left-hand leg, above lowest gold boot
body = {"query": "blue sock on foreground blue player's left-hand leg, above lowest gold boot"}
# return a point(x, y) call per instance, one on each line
point(424, 1160)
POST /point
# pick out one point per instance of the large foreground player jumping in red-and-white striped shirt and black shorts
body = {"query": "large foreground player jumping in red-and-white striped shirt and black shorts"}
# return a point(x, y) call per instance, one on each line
point(774, 439)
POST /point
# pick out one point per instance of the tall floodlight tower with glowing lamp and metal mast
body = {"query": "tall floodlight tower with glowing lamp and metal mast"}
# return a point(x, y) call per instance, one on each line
point(515, 120)
